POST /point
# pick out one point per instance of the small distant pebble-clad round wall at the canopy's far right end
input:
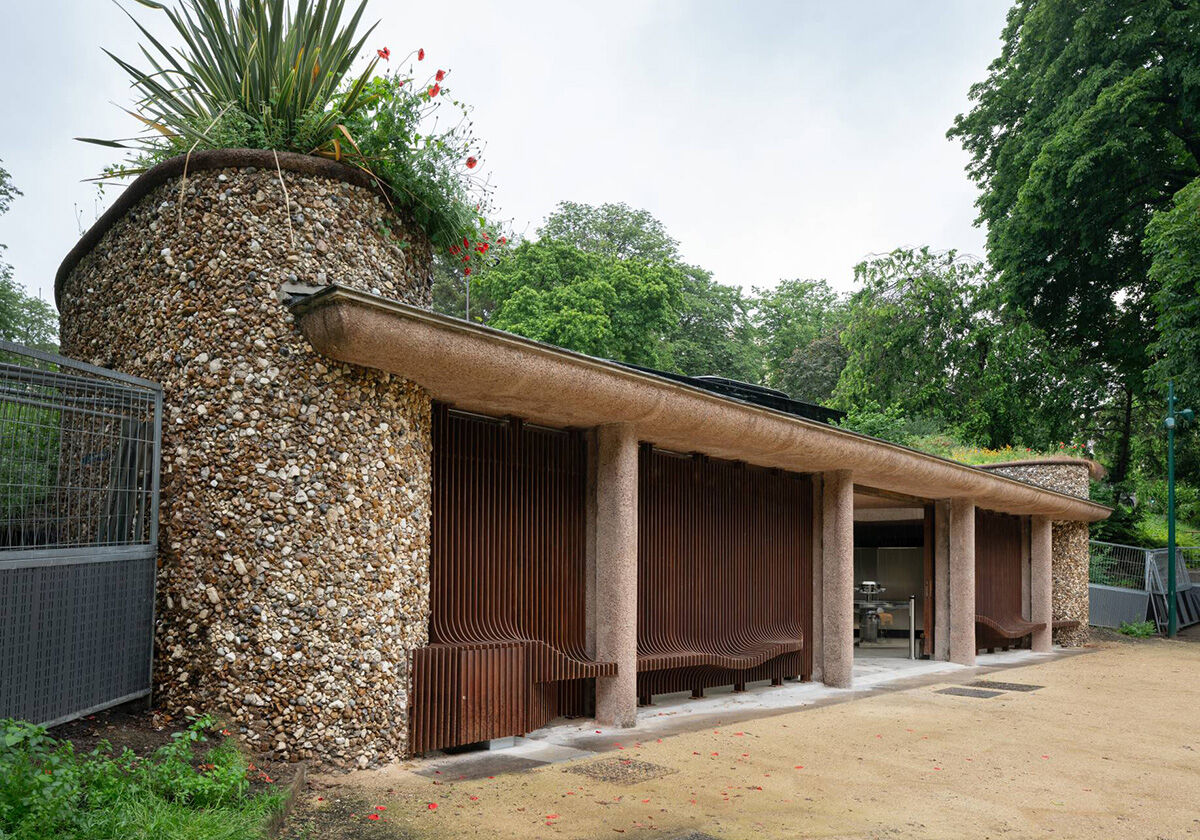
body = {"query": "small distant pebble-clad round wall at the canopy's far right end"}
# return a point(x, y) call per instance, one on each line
point(1070, 543)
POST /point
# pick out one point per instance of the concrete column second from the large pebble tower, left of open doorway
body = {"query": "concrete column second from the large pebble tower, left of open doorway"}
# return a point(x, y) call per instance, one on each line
point(838, 578)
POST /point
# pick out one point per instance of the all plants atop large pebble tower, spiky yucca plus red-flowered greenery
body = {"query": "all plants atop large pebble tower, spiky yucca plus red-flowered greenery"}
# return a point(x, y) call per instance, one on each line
point(302, 79)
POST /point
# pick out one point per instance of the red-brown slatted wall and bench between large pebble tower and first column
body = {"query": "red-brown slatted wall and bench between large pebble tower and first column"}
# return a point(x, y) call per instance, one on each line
point(507, 647)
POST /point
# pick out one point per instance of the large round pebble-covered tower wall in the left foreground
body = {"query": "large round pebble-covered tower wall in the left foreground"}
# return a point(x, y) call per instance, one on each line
point(296, 491)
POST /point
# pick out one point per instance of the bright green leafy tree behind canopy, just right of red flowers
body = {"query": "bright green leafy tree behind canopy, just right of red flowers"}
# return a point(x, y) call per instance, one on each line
point(604, 307)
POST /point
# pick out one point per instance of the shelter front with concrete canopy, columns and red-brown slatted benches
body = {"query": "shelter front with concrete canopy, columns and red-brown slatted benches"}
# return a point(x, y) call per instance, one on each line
point(637, 535)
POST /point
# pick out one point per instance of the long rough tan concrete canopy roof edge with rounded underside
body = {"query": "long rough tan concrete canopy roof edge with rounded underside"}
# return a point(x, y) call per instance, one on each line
point(484, 370)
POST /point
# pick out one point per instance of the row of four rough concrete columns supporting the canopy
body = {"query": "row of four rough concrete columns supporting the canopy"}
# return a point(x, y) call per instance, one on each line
point(615, 553)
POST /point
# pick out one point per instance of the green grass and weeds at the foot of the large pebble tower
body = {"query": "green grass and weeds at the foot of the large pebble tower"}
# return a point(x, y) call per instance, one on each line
point(183, 790)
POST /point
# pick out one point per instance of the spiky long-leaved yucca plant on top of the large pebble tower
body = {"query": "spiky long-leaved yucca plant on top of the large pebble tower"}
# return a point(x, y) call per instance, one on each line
point(261, 74)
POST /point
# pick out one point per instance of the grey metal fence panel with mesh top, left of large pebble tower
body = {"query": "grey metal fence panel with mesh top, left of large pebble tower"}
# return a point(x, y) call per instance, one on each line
point(80, 454)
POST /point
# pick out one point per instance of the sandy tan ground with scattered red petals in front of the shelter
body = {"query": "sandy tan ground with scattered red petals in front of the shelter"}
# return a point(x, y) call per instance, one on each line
point(1109, 748)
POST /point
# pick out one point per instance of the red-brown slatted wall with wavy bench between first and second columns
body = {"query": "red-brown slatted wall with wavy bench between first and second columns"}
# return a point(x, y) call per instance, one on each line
point(725, 574)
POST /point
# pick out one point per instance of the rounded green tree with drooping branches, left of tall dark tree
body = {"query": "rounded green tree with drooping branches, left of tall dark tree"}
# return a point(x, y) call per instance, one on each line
point(929, 338)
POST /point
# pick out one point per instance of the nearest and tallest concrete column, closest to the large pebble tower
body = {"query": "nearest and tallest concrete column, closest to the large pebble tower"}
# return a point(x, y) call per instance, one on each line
point(616, 566)
